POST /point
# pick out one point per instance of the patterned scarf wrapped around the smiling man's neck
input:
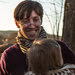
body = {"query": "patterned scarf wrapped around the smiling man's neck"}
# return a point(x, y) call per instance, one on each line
point(24, 43)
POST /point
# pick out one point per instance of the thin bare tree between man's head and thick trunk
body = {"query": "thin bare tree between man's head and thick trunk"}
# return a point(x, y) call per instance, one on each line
point(57, 14)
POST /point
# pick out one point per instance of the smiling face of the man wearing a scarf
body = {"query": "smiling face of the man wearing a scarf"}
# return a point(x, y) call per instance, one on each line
point(30, 27)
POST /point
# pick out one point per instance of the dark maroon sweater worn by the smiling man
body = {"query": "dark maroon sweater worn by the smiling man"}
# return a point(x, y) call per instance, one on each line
point(14, 62)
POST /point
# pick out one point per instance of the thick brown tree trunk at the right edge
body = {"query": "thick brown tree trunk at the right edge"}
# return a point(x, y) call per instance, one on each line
point(68, 35)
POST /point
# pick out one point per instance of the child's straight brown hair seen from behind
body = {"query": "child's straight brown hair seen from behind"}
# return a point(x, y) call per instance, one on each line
point(44, 55)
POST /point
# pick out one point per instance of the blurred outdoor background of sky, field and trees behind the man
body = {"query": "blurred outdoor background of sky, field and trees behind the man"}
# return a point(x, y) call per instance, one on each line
point(58, 21)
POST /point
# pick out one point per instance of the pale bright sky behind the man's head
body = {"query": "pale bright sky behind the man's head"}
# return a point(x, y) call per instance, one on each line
point(7, 20)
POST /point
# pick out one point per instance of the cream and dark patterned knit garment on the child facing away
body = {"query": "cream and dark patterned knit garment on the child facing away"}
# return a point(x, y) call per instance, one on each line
point(65, 70)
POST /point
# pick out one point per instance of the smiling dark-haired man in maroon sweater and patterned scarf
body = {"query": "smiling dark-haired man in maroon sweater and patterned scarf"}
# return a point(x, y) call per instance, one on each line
point(28, 18)
